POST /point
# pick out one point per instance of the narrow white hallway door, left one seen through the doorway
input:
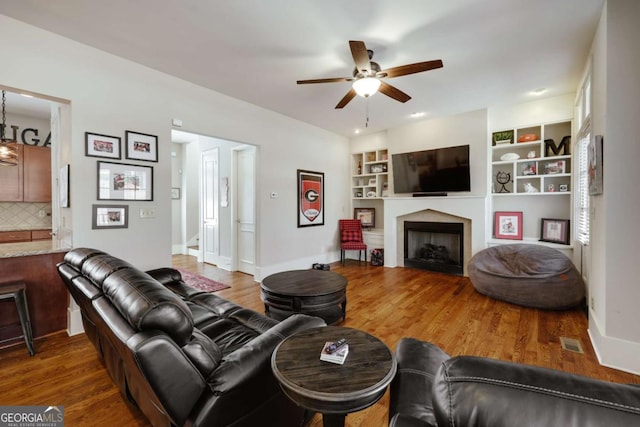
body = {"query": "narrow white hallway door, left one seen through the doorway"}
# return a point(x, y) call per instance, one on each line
point(209, 199)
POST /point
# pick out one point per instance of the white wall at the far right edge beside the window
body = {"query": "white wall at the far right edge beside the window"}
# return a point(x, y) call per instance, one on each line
point(614, 317)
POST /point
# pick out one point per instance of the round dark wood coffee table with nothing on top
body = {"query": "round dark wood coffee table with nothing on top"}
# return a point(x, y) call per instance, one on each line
point(314, 292)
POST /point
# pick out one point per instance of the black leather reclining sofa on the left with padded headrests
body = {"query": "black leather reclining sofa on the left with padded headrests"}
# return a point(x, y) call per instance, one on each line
point(184, 357)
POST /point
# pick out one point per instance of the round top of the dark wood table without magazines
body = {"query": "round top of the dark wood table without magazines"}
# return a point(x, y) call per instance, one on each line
point(304, 283)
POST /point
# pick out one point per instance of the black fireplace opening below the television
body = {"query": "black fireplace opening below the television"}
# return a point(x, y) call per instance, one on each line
point(434, 246)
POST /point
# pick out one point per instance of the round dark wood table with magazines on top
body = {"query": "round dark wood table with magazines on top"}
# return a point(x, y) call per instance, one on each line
point(332, 389)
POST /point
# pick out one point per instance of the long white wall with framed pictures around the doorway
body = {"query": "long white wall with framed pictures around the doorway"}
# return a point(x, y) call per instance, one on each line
point(110, 95)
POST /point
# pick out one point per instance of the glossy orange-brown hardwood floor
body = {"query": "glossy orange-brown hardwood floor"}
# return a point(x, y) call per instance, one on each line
point(388, 303)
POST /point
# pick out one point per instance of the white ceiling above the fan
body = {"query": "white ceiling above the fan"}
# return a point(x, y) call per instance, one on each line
point(494, 51)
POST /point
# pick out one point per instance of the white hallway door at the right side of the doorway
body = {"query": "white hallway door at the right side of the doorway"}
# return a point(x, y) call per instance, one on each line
point(245, 209)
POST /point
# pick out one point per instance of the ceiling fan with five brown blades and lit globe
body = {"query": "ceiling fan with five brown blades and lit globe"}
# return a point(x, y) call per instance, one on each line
point(367, 75)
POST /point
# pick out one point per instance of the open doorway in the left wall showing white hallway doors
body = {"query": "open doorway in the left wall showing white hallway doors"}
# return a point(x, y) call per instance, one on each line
point(215, 216)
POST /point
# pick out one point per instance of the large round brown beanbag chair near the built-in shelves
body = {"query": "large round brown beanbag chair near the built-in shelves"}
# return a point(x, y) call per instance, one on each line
point(530, 275)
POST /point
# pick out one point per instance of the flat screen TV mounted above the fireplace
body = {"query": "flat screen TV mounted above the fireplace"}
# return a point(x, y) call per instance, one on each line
point(432, 171)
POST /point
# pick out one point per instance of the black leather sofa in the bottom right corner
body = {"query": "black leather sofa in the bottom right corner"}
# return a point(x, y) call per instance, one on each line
point(432, 389)
